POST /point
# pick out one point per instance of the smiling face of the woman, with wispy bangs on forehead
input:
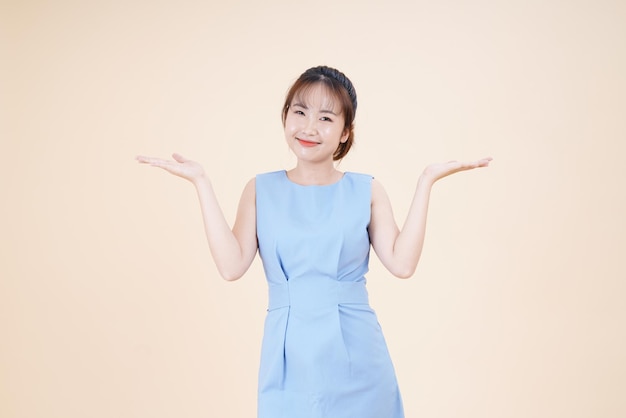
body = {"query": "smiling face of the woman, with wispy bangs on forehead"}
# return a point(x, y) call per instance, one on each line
point(314, 125)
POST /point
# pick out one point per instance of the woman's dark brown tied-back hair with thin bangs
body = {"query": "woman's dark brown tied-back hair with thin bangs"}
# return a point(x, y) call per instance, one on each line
point(339, 85)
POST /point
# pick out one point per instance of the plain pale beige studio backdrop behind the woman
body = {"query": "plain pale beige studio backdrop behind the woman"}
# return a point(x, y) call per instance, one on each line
point(110, 305)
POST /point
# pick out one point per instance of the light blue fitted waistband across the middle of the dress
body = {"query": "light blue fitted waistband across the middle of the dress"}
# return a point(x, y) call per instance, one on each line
point(316, 293)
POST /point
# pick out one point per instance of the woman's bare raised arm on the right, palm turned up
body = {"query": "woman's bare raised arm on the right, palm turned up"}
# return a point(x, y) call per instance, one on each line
point(400, 250)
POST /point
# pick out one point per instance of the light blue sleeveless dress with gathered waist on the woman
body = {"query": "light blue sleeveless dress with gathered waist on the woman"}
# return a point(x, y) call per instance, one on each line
point(323, 353)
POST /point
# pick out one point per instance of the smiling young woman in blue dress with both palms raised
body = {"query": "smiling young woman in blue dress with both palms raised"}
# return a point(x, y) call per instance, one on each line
point(323, 352)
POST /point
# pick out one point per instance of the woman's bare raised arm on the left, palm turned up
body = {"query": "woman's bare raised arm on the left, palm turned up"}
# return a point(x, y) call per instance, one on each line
point(232, 250)
